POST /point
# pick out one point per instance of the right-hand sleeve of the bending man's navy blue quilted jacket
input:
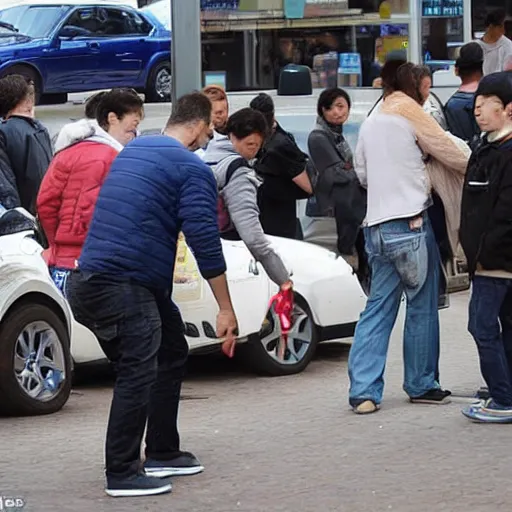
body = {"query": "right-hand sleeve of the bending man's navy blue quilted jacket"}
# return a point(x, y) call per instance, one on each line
point(197, 211)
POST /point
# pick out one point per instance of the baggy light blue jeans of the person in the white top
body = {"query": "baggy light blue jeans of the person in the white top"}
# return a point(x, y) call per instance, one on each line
point(402, 261)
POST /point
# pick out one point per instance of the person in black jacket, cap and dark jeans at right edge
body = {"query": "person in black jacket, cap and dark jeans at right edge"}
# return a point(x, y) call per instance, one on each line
point(486, 237)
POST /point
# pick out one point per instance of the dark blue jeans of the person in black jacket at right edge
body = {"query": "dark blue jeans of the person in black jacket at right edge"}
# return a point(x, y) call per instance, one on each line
point(490, 324)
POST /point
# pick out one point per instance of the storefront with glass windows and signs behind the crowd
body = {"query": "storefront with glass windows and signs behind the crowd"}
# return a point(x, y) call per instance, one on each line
point(251, 40)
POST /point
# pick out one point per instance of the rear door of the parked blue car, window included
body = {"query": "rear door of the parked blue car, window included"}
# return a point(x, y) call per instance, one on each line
point(124, 48)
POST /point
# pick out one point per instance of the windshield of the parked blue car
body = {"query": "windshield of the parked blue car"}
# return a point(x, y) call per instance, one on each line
point(33, 21)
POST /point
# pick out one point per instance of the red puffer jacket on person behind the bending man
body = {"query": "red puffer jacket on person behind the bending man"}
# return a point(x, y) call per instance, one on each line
point(67, 197)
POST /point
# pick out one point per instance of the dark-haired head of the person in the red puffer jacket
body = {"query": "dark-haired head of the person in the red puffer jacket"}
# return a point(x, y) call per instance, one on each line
point(119, 112)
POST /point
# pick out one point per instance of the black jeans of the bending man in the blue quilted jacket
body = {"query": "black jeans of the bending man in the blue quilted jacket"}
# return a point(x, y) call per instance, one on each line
point(141, 332)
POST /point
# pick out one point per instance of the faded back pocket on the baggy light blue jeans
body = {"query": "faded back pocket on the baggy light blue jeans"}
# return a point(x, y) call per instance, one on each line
point(409, 253)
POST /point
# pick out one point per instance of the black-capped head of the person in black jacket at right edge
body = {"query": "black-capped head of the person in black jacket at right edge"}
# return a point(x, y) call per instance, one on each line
point(493, 102)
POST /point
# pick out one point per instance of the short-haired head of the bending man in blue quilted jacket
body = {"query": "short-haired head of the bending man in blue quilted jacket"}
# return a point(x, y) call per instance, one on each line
point(190, 120)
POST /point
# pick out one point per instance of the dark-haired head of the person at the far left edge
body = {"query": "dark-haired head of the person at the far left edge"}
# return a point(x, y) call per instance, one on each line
point(17, 96)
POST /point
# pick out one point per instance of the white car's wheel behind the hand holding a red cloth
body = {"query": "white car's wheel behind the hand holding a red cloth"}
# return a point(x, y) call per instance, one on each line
point(268, 353)
